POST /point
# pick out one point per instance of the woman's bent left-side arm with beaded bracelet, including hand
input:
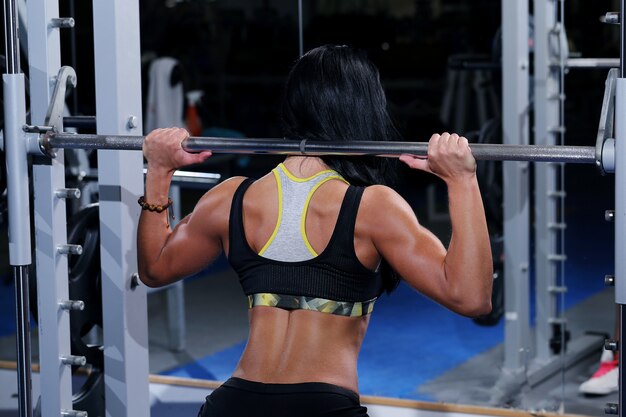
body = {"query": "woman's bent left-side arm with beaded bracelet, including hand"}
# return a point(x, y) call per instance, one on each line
point(165, 255)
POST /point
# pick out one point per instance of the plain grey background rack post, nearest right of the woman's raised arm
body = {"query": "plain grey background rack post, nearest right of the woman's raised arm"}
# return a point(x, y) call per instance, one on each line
point(516, 219)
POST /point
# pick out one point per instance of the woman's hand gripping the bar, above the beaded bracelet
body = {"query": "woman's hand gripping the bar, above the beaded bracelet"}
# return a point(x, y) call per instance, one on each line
point(163, 150)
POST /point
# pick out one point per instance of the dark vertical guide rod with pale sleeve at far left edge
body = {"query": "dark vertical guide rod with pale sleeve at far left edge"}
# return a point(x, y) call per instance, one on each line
point(17, 196)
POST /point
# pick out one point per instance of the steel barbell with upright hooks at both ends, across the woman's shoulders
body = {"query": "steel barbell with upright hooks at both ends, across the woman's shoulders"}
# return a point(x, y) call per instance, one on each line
point(45, 139)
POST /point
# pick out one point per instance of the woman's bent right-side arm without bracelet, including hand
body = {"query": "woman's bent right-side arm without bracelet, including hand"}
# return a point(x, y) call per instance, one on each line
point(460, 277)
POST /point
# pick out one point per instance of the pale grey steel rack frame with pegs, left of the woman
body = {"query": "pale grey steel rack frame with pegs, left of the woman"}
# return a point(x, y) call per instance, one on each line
point(118, 81)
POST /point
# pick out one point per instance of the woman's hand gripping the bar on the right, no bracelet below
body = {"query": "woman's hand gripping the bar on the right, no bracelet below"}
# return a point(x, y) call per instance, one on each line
point(449, 157)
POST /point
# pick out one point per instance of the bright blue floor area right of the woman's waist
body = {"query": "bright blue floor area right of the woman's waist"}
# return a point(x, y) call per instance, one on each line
point(412, 340)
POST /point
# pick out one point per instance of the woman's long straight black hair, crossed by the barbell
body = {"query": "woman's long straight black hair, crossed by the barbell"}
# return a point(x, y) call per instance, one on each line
point(334, 93)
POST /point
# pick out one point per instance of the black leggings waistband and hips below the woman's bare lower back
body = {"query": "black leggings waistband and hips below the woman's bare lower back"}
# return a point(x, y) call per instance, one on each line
point(241, 398)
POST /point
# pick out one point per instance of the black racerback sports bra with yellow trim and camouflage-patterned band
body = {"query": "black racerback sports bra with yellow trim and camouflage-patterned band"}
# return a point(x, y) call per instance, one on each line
point(334, 281)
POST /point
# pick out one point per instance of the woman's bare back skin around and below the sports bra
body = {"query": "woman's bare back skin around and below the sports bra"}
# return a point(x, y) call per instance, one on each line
point(300, 346)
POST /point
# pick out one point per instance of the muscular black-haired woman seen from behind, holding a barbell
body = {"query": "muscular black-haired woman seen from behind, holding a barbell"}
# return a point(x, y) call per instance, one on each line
point(316, 241)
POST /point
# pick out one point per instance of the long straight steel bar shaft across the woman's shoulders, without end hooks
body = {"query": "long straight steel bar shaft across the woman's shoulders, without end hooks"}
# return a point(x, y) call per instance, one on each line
point(496, 152)
